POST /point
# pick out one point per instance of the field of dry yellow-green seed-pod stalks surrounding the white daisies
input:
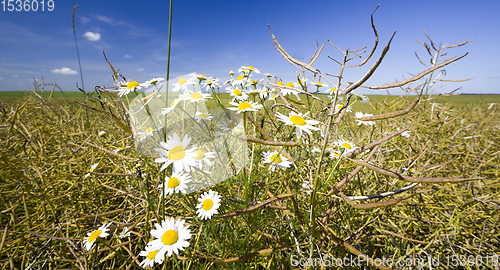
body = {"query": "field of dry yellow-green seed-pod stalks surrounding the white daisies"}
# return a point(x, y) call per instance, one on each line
point(434, 194)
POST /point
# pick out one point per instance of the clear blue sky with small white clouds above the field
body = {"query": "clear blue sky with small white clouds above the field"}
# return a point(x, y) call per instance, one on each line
point(214, 37)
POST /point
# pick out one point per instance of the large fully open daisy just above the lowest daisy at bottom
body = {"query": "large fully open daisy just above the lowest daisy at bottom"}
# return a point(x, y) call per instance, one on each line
point(170, 236)
